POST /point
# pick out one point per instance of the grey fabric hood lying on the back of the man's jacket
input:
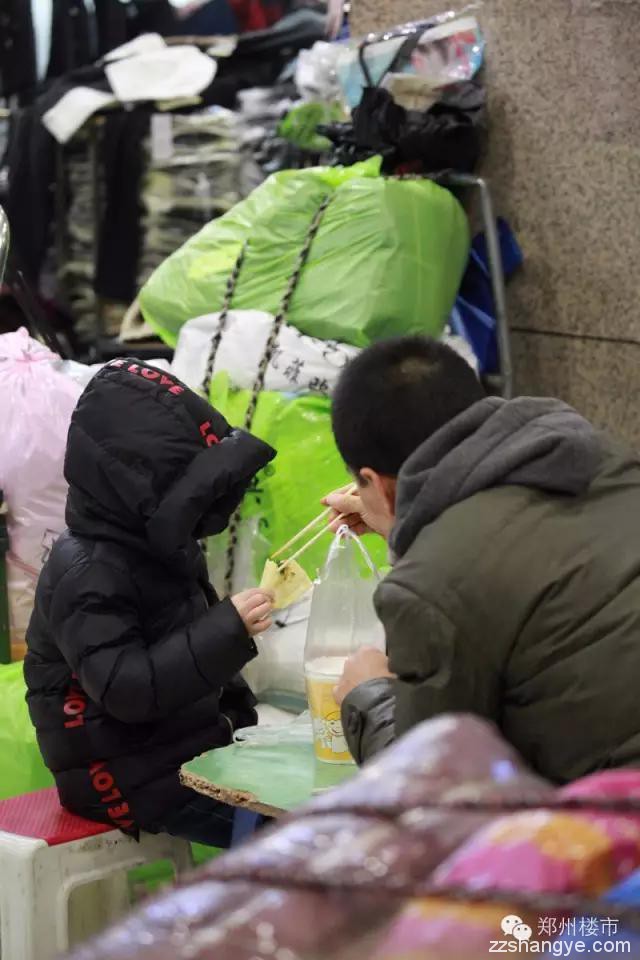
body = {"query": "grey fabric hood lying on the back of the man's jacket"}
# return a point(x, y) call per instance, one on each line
point(531, 442)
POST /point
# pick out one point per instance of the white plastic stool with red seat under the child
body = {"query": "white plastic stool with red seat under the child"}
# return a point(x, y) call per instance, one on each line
point(46, 852)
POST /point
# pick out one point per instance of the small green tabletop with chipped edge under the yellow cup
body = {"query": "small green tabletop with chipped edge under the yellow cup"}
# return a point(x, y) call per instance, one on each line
point(270, 779)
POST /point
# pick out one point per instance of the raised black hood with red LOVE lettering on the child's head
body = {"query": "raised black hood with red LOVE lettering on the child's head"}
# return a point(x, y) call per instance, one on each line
point(149, 460)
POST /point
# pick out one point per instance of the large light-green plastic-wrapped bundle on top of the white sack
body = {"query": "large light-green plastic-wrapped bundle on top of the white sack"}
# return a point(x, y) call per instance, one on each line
point(387, 259)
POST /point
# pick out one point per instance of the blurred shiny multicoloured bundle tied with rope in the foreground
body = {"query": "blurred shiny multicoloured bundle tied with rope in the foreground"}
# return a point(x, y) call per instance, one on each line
point(444, 848)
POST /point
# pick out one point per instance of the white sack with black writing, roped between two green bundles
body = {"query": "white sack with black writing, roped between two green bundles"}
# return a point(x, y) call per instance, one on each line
point(300, 364)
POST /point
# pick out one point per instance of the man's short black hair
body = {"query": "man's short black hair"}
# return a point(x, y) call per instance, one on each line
point(395, 395)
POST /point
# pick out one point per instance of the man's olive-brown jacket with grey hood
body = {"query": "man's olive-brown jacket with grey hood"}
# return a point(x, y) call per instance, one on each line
point(516, 591)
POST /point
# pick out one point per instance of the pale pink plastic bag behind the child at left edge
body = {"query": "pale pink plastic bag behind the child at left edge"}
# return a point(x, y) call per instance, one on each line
point(37, 403)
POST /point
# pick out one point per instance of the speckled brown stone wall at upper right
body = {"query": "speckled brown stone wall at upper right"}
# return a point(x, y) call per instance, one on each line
point(563, 79)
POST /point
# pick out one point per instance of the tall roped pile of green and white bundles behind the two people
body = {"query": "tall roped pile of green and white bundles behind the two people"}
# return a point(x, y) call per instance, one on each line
point(266, 304)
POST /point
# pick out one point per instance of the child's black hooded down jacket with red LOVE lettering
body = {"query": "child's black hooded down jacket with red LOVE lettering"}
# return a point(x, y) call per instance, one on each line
point(132, 663)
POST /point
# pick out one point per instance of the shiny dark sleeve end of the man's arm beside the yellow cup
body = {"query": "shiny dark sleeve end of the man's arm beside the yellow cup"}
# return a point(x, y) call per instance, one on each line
point(368, 718)
